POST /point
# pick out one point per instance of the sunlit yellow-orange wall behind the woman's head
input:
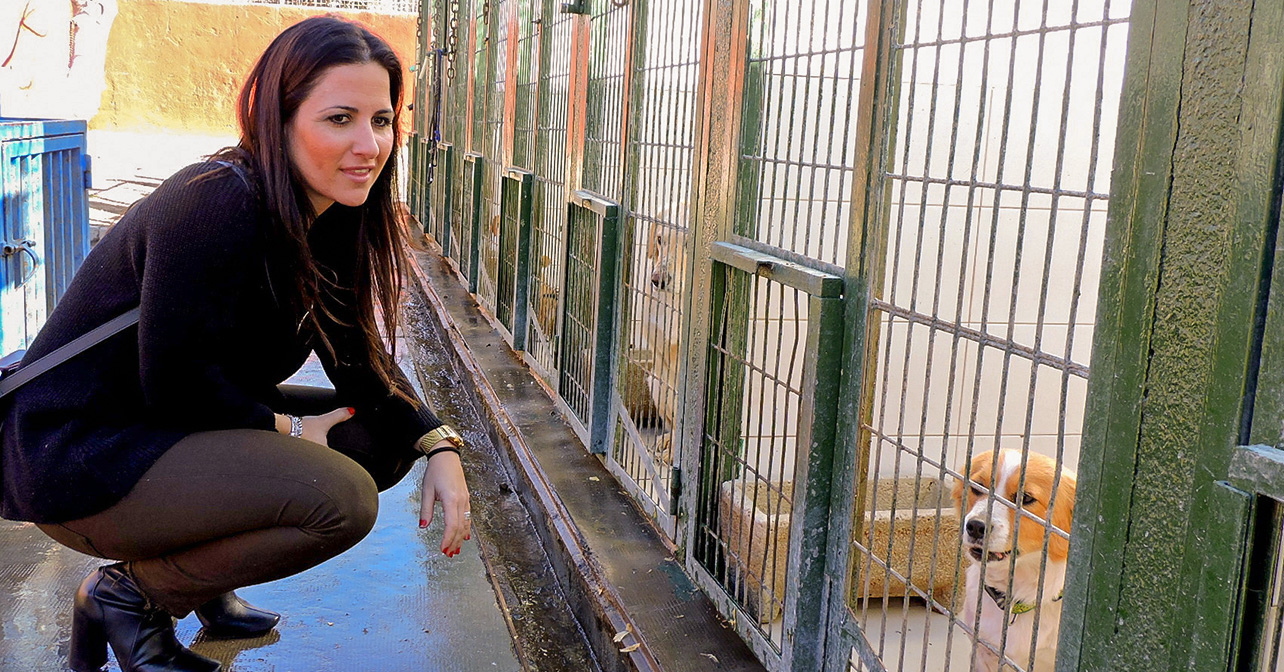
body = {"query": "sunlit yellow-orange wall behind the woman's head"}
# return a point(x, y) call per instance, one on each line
point(179, 66)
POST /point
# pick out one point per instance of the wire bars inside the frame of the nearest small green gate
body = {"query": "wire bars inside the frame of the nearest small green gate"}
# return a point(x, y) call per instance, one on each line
point(750, 439)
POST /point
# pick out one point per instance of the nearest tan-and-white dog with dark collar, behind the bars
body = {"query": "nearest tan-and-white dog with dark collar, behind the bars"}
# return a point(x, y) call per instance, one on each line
point(1018, 567)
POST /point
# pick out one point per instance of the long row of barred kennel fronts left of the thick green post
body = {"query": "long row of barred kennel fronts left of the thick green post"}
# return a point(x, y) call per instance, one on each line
point(792, 269)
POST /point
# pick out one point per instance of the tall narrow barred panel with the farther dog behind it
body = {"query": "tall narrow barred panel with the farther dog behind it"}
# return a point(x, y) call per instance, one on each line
point(658, 264)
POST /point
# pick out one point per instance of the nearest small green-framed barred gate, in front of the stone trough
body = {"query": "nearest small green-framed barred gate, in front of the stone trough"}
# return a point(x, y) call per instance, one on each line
point(766, 468)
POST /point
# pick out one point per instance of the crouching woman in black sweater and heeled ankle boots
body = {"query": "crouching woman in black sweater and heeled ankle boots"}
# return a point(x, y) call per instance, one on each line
point(174, 449)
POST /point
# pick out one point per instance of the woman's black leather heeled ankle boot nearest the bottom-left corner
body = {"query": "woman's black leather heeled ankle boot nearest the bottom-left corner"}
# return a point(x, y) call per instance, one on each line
point(111, 610)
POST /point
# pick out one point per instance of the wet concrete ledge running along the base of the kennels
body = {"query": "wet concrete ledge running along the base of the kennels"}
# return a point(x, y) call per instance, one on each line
point(618, 574)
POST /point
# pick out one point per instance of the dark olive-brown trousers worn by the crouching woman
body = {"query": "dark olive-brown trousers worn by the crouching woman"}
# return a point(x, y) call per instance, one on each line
point(223, 511)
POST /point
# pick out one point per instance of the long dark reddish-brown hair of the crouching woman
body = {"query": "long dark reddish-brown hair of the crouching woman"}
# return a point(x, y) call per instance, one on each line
point(277, 87)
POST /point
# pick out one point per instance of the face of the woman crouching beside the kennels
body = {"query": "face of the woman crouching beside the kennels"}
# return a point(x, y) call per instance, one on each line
point(342, 134)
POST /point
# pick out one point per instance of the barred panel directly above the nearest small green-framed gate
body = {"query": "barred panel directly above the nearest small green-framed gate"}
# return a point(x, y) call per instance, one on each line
point(797, 163)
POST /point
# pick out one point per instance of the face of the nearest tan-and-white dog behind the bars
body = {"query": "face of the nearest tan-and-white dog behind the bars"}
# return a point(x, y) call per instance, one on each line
point(991, 529)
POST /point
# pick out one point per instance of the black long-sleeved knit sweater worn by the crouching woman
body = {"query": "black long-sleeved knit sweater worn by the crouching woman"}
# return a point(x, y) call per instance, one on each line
point(215, 339)
